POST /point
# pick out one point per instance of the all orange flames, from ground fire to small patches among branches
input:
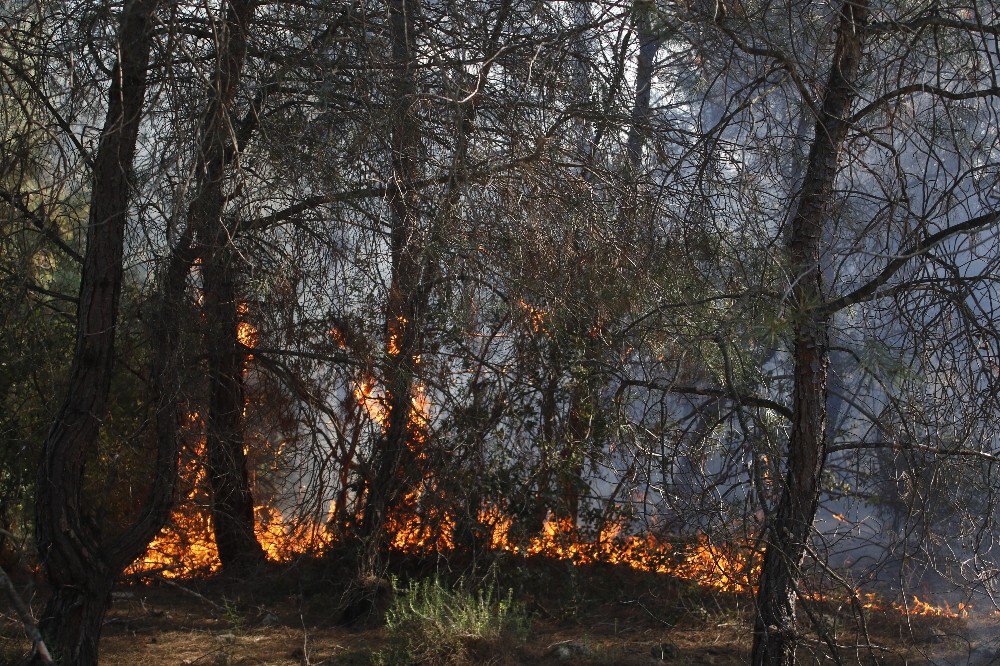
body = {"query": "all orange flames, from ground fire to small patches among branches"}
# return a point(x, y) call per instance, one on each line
point(419, 524)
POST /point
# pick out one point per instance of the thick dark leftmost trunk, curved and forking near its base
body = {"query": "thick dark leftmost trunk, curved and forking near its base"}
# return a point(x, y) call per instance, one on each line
point(80, 564)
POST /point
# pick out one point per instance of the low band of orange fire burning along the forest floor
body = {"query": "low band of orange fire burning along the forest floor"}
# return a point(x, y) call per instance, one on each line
point(186, 549)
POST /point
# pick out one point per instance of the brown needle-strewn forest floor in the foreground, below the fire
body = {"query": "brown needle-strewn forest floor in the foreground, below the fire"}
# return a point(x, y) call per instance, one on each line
point(579, 615)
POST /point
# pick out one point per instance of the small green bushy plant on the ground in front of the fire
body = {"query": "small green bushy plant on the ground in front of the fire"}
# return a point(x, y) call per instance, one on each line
point(430, 623)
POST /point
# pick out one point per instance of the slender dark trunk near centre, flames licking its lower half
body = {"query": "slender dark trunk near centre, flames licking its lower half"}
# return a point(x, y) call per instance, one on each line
point(409, 287)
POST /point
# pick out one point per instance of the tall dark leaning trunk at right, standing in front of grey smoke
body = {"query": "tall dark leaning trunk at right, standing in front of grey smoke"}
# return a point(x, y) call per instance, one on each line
point(788, 532)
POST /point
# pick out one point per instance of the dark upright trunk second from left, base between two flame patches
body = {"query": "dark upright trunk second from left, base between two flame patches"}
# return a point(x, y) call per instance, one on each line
point(232, 500)
